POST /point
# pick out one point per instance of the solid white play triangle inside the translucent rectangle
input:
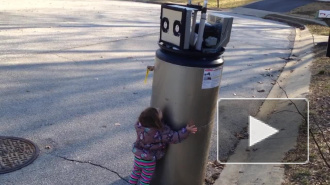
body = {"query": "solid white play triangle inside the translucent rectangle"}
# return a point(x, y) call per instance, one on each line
point(259, 131)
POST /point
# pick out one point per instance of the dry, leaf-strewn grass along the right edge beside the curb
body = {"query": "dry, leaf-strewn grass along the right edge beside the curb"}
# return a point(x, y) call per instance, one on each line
point(316, 171)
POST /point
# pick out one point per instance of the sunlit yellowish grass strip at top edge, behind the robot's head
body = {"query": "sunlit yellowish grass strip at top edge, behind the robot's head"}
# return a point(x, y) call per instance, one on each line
point(224, 4)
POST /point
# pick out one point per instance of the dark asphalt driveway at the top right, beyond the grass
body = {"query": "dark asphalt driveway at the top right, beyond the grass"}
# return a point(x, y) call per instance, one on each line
point(281, 6)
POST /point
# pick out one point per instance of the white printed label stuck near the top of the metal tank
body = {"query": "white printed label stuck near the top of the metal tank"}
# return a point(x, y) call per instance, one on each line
point(211, 78)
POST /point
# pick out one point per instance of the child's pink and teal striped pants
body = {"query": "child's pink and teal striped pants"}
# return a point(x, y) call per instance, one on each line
point(142, 171)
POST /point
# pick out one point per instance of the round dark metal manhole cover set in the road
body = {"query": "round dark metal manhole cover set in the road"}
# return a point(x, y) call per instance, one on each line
point(16, 153)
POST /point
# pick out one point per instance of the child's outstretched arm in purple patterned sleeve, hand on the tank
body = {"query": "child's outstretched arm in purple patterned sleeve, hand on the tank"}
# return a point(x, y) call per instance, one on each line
point(174, 137)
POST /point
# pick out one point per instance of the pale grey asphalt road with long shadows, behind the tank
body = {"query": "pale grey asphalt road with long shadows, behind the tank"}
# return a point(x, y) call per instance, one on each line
point(71, 70)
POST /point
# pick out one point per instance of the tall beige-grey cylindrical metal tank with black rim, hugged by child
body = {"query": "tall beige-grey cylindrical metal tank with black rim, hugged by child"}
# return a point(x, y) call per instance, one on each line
point(186, 88)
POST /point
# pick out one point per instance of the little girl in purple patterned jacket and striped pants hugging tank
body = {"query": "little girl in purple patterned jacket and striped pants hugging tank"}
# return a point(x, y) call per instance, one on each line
point(152, 140)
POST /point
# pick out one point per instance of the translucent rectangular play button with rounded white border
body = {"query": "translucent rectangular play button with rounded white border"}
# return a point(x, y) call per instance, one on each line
point(263, 131)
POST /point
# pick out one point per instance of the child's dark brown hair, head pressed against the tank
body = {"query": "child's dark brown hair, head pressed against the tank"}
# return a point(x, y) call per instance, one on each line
point(150, 118)
